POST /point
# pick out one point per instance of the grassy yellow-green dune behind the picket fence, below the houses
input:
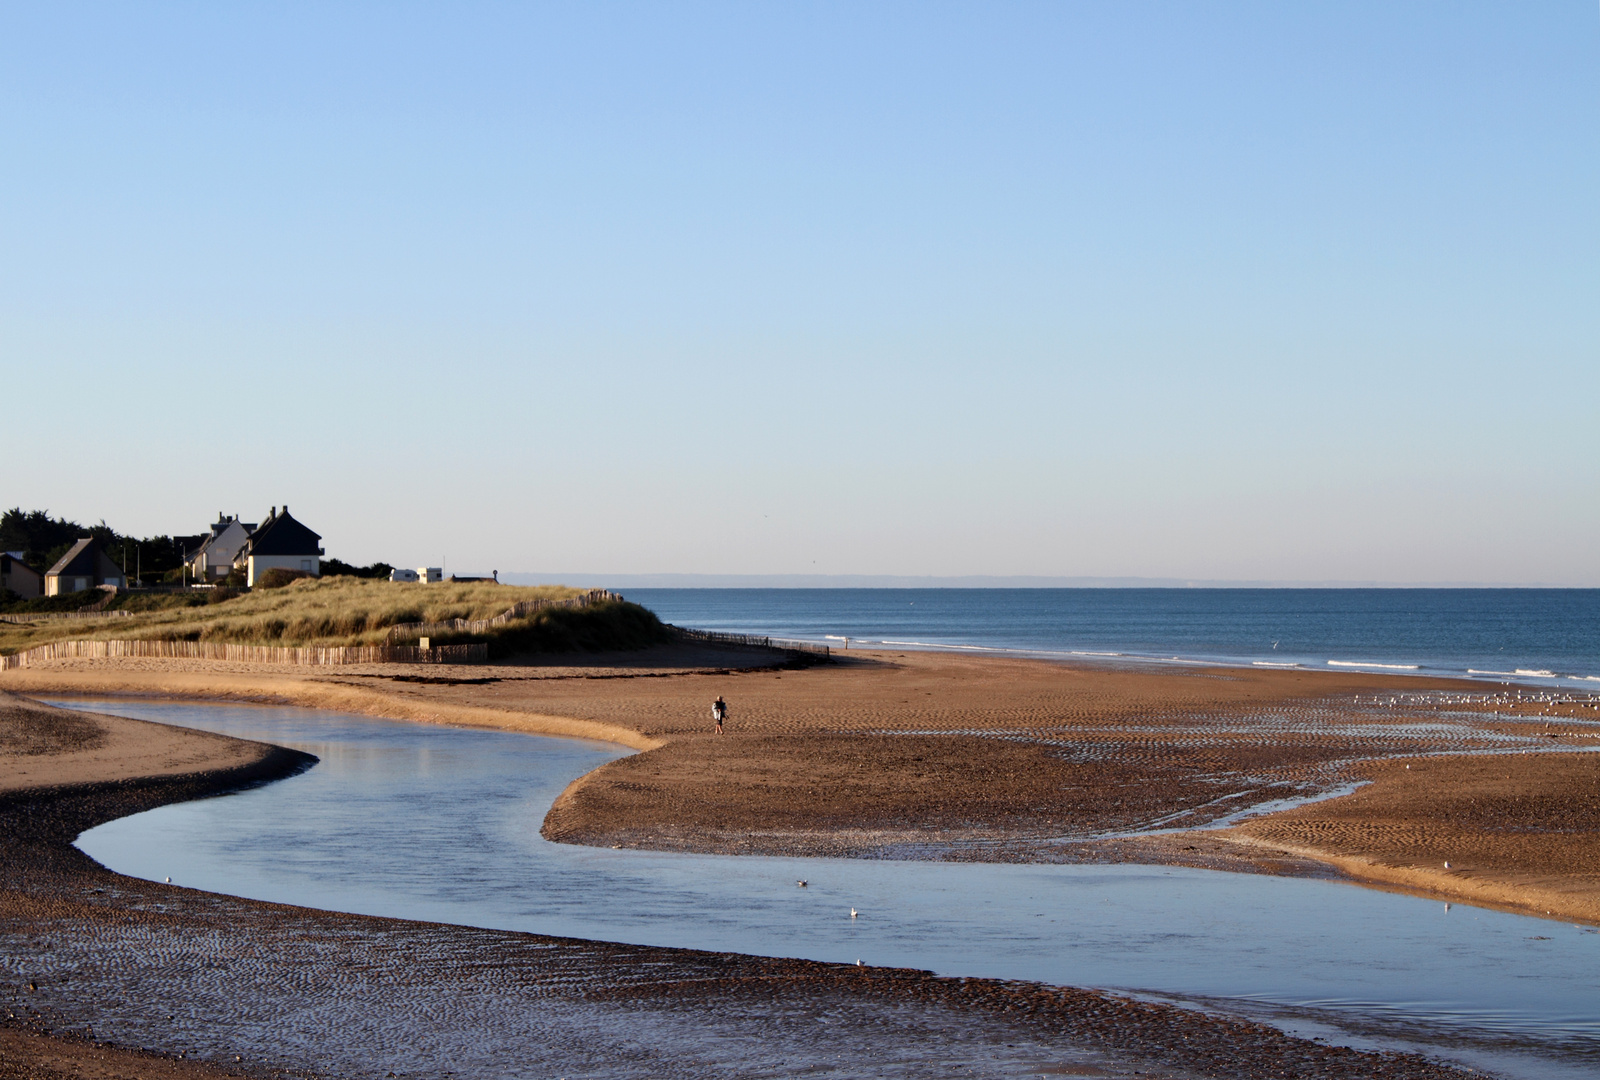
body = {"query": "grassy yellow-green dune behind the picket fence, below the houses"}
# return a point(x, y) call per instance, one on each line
point(356, 612)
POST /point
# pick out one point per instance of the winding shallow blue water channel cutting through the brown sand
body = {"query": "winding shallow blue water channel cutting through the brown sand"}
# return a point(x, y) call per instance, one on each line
point(420, 822)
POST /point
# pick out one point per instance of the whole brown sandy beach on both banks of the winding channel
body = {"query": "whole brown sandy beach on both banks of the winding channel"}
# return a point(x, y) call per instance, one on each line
point(886, 754)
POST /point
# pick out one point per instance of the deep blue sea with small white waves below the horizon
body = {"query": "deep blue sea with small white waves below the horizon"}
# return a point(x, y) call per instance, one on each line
point(1535, 636)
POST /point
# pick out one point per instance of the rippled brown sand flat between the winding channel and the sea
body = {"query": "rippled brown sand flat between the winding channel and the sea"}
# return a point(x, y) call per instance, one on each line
point(954, 758)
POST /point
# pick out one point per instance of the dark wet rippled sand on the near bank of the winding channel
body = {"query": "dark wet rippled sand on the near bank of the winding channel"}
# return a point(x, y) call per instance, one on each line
point(111, 977)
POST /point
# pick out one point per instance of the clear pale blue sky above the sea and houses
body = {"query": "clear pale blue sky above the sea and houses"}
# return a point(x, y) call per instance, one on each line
point(1194, 290)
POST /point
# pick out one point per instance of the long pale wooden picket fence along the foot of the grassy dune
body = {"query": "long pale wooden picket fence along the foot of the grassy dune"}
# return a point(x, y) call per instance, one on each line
point(306, 657)
